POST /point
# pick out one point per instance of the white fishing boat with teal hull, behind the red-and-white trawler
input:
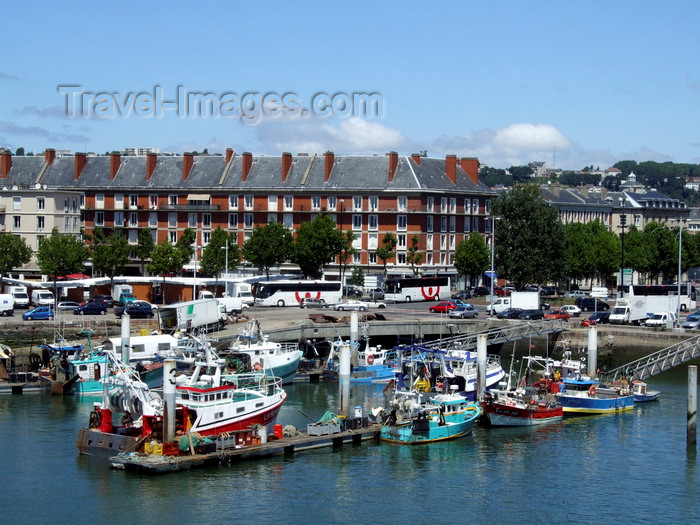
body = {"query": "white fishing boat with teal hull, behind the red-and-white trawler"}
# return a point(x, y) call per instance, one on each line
point(252, 351)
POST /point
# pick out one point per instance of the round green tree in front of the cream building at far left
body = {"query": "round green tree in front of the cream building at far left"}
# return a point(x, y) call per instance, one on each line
point(61, 254)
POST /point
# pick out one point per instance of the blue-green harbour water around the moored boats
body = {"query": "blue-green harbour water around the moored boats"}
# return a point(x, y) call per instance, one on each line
point(626, 467)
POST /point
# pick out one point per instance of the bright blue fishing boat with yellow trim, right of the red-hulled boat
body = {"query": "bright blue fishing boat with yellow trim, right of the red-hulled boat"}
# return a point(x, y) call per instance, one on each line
point(585, 396)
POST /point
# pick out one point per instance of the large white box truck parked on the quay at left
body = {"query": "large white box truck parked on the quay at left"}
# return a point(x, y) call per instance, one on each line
point(189, 316)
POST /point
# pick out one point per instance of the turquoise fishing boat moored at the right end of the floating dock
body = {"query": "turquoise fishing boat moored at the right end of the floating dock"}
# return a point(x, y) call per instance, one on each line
point(415, 419)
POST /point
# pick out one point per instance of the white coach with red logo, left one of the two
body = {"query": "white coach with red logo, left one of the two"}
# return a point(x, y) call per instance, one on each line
point(290, 293)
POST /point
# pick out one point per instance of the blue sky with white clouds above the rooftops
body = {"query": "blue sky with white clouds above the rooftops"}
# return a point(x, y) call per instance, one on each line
point(571, 84)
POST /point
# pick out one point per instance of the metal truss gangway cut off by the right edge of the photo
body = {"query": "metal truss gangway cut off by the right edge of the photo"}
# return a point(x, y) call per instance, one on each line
point(657, 362)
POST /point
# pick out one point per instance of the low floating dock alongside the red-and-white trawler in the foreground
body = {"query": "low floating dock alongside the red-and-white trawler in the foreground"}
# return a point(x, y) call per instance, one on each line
point(228, 453)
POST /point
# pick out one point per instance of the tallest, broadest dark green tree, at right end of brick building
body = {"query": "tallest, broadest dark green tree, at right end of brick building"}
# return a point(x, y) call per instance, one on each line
point(530, 239)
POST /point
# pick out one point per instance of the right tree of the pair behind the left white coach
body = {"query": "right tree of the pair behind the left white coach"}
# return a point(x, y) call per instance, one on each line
point(317, 243)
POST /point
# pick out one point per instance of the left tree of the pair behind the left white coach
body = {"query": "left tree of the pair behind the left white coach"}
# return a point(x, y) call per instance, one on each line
point(269, 245)
